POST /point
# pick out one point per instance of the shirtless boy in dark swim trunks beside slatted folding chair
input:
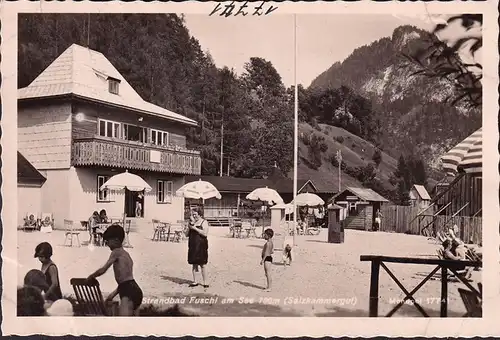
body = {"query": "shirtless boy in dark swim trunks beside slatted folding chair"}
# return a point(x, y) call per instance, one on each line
point(129, 291)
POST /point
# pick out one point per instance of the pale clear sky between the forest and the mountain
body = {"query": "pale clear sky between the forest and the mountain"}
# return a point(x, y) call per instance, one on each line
point(322, 39)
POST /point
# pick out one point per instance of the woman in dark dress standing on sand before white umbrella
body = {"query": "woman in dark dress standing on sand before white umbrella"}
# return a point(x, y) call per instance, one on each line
point(197, 233)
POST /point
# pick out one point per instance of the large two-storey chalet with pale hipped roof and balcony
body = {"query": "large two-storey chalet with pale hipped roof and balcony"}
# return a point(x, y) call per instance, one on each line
point(80, 122)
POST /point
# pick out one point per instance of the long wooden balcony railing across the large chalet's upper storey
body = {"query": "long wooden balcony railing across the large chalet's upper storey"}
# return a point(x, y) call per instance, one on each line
point(108, 152)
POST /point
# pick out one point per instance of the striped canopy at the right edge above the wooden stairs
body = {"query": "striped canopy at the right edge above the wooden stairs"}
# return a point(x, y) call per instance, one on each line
point(466, 156)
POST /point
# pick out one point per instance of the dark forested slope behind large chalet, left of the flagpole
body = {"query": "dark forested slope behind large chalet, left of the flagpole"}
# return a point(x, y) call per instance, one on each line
point(166, 66)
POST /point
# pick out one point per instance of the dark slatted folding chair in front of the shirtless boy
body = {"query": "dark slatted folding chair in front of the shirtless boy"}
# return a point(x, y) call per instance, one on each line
point(89, 299)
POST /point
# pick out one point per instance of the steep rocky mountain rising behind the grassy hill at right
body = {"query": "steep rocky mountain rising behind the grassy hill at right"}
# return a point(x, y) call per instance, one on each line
point(413, 111)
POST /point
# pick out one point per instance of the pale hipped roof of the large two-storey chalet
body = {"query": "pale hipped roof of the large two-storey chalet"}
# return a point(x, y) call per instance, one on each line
point(83, 72)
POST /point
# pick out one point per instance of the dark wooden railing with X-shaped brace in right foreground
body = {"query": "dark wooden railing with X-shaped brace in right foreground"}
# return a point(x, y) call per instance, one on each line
point(445, 265)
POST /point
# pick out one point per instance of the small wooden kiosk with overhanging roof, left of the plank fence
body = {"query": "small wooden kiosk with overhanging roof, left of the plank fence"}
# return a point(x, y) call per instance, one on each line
point(359, 206)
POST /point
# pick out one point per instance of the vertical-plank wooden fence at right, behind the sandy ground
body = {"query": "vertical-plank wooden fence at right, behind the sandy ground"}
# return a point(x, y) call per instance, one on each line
point(403, 219)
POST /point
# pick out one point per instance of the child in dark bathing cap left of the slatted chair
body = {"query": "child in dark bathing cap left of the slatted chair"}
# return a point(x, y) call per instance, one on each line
point(44, 253)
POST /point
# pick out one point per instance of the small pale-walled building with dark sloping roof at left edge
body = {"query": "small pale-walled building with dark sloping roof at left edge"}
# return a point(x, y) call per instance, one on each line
point(29, 189)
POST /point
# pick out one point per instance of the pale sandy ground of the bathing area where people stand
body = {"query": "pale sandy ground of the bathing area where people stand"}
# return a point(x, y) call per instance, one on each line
point(323, 280)
